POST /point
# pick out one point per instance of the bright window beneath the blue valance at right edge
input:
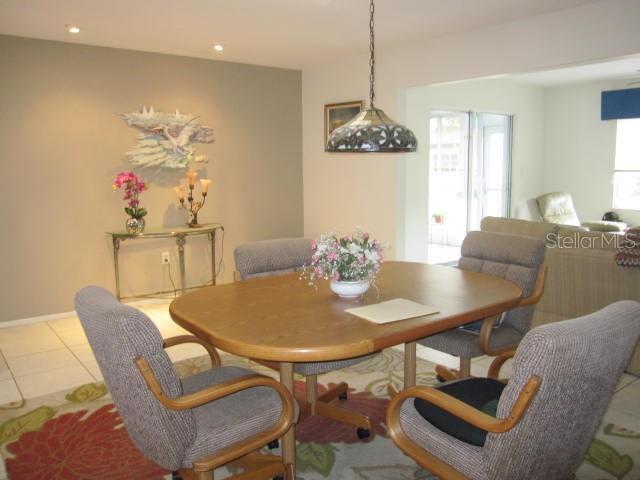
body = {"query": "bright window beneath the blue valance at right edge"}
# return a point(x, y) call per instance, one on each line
point(626, 177)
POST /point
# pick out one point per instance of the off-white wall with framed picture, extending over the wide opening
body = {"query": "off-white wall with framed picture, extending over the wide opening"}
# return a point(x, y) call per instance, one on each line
point(345, 190)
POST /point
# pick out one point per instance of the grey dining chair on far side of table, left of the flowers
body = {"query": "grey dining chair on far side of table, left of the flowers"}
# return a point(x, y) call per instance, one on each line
point(277, 257)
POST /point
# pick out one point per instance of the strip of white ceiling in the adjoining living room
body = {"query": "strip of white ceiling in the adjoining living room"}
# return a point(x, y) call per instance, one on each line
point(620, 69)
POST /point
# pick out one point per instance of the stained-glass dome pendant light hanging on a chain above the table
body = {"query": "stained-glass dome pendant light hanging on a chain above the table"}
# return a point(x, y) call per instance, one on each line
point(371, 131)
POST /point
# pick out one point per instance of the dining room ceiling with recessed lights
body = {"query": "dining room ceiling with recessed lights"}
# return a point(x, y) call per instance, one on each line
point(285, 33)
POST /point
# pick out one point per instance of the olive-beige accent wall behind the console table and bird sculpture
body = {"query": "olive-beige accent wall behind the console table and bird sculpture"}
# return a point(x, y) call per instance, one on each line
point(61, 143)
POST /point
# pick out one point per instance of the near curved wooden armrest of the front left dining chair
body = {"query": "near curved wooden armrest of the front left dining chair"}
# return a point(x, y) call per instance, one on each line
point(215, 392)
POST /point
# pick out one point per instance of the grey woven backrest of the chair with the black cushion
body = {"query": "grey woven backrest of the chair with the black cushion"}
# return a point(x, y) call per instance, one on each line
point(580, 362)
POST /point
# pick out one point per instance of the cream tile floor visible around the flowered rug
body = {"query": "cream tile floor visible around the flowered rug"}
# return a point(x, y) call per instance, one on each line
point(48, 357)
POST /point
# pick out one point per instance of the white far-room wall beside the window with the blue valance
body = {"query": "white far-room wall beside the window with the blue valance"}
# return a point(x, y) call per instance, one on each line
point(580, 148)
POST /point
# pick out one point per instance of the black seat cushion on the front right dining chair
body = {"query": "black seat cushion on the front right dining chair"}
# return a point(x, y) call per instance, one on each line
point(480, 393)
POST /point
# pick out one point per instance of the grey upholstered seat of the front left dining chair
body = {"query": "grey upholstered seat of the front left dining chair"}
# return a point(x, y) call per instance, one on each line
point(232, 418)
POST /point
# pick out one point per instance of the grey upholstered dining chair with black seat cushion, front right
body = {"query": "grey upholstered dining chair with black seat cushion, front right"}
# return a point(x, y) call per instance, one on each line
point(541, 423)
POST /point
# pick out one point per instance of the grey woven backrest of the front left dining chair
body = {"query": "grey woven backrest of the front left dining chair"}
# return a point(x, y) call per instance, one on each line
point(118, 334)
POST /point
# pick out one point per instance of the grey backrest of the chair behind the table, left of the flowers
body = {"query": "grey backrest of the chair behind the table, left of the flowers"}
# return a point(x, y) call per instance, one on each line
point(272, 257)
